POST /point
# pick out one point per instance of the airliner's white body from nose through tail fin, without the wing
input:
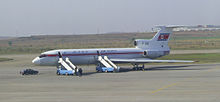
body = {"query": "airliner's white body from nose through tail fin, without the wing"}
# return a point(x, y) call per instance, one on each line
point(153, 48)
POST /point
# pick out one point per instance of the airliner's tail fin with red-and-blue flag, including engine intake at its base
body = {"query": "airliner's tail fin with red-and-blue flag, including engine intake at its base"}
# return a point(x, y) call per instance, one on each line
point(159, 41)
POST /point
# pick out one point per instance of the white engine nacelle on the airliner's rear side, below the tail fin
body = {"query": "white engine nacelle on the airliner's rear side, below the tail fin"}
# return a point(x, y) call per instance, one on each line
point(155, 54)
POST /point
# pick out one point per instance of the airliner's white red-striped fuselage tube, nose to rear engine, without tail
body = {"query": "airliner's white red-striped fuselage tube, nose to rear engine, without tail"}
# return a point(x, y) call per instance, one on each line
point(89, 56)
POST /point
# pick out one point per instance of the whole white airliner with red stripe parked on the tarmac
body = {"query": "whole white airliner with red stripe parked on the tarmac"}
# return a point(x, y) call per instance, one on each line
point(145, 51)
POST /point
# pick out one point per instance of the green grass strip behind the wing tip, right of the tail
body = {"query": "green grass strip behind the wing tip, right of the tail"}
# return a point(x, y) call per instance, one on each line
point(201, 57)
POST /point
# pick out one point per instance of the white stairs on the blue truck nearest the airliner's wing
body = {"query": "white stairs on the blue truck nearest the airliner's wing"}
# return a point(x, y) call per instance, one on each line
point(108, 63)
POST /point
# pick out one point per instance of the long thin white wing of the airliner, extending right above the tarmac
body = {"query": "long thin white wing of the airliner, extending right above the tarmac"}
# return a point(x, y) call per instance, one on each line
point(146, 60)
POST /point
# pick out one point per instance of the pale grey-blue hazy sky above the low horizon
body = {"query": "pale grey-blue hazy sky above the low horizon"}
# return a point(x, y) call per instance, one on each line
point(51, 17)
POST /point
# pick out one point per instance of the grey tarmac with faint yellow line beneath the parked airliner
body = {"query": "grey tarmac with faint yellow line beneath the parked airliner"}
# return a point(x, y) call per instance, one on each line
point(158, 83)
